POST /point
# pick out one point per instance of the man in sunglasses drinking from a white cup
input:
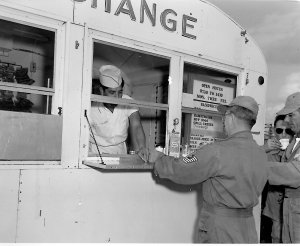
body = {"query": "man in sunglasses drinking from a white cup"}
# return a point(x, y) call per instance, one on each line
point(273, 204)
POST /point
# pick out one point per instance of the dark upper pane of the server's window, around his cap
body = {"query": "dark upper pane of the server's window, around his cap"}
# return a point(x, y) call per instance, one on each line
point(145, 76)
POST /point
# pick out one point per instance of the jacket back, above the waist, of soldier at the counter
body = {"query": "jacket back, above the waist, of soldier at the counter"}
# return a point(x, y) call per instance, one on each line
point(241, 162)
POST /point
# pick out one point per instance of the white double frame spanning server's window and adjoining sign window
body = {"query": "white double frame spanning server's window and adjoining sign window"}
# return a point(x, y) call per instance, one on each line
point(177, 61)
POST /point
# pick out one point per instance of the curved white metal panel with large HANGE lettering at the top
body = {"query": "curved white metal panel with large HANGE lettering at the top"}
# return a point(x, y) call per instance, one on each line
point(217, 36)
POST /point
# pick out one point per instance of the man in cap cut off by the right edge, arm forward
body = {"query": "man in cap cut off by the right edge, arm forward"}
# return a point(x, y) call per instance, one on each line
point(288, 173)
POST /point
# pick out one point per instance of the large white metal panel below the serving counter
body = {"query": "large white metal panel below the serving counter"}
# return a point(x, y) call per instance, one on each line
point(91, 206)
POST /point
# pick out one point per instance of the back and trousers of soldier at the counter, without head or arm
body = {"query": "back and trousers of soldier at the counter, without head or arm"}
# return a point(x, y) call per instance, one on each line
point(229, 196)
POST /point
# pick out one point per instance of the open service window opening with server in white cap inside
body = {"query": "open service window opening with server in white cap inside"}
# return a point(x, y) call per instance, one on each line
point(129, 104)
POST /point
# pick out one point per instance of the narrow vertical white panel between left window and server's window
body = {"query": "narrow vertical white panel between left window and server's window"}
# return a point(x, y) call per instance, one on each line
point(72, 95)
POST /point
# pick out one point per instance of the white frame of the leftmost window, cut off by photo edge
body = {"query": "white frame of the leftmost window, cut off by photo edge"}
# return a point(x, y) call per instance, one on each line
point(58, 26)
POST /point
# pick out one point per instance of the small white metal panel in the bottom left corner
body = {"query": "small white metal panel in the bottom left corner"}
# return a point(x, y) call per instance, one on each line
point(9, 185)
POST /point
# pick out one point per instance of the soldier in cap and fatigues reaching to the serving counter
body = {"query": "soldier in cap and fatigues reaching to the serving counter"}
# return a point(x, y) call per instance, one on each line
point(233, 173)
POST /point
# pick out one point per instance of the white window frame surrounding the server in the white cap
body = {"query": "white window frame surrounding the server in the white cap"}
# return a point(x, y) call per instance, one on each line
point(104, 38)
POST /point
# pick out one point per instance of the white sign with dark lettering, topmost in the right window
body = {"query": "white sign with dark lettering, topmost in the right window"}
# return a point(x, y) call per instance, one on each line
point(208, 95)
